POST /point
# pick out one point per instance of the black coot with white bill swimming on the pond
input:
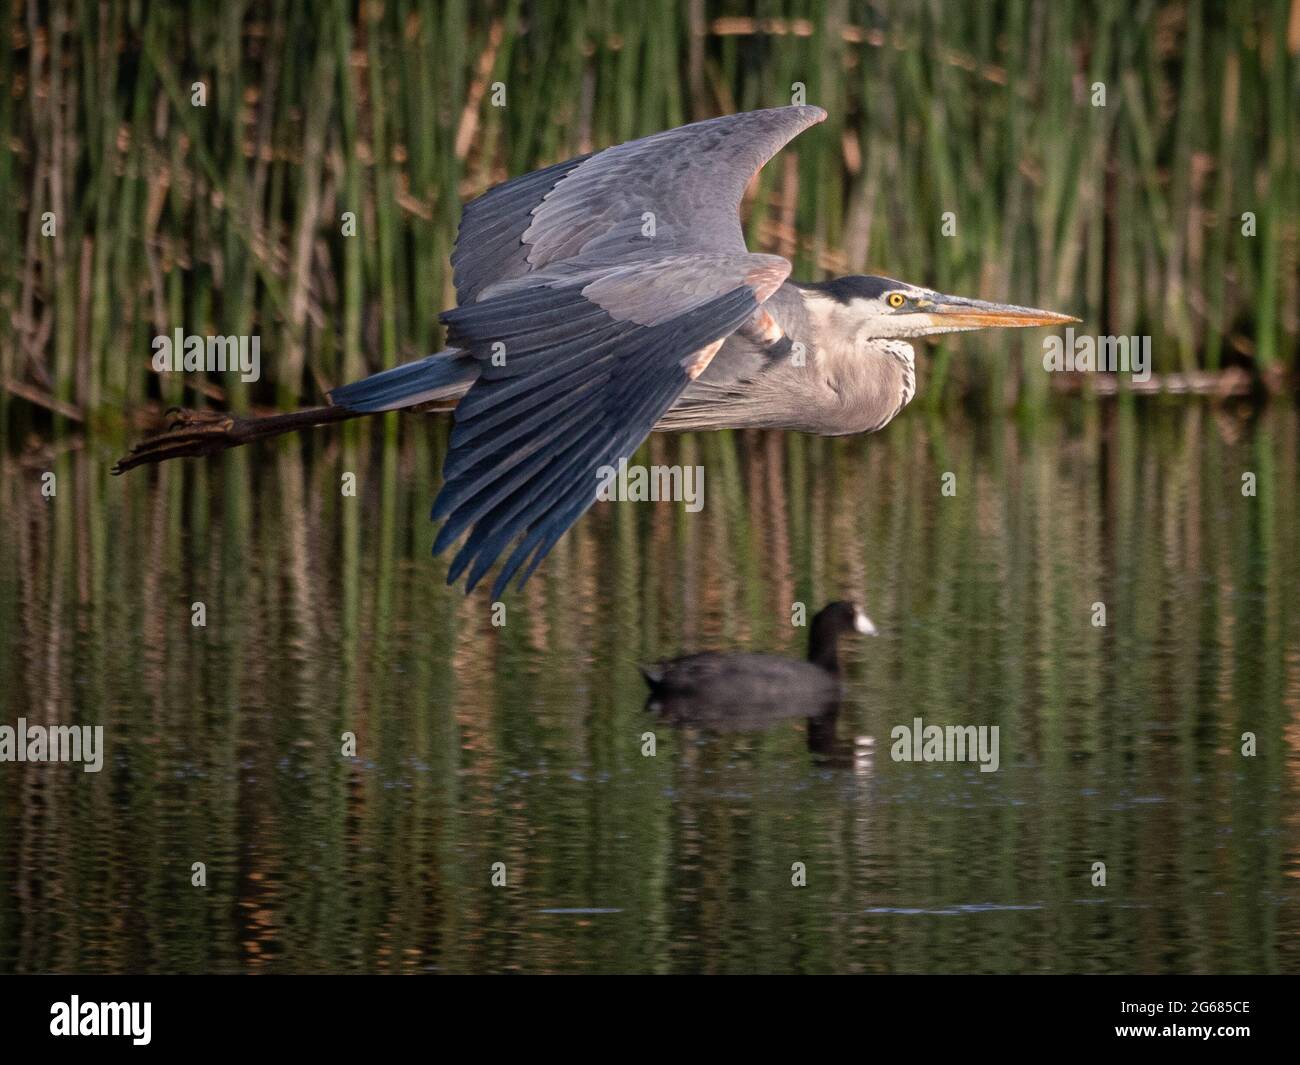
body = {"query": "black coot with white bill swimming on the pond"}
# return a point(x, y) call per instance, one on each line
point(723, 690)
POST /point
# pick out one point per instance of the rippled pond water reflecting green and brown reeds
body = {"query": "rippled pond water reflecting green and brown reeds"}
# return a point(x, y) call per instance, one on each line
point(523, 744)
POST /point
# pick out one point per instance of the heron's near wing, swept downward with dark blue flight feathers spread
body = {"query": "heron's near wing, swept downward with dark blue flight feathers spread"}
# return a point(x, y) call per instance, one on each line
point(574, 374)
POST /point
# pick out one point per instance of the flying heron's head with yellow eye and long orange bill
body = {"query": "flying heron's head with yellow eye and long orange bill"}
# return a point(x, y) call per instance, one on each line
point(883, 309)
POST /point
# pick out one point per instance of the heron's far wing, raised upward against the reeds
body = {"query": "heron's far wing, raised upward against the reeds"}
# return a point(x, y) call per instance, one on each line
point(669, 194)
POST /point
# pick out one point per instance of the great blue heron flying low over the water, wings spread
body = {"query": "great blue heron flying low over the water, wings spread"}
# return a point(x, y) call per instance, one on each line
point(610, 296)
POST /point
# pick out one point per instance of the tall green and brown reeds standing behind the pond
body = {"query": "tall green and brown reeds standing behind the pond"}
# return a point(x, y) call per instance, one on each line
point(228, 219)
